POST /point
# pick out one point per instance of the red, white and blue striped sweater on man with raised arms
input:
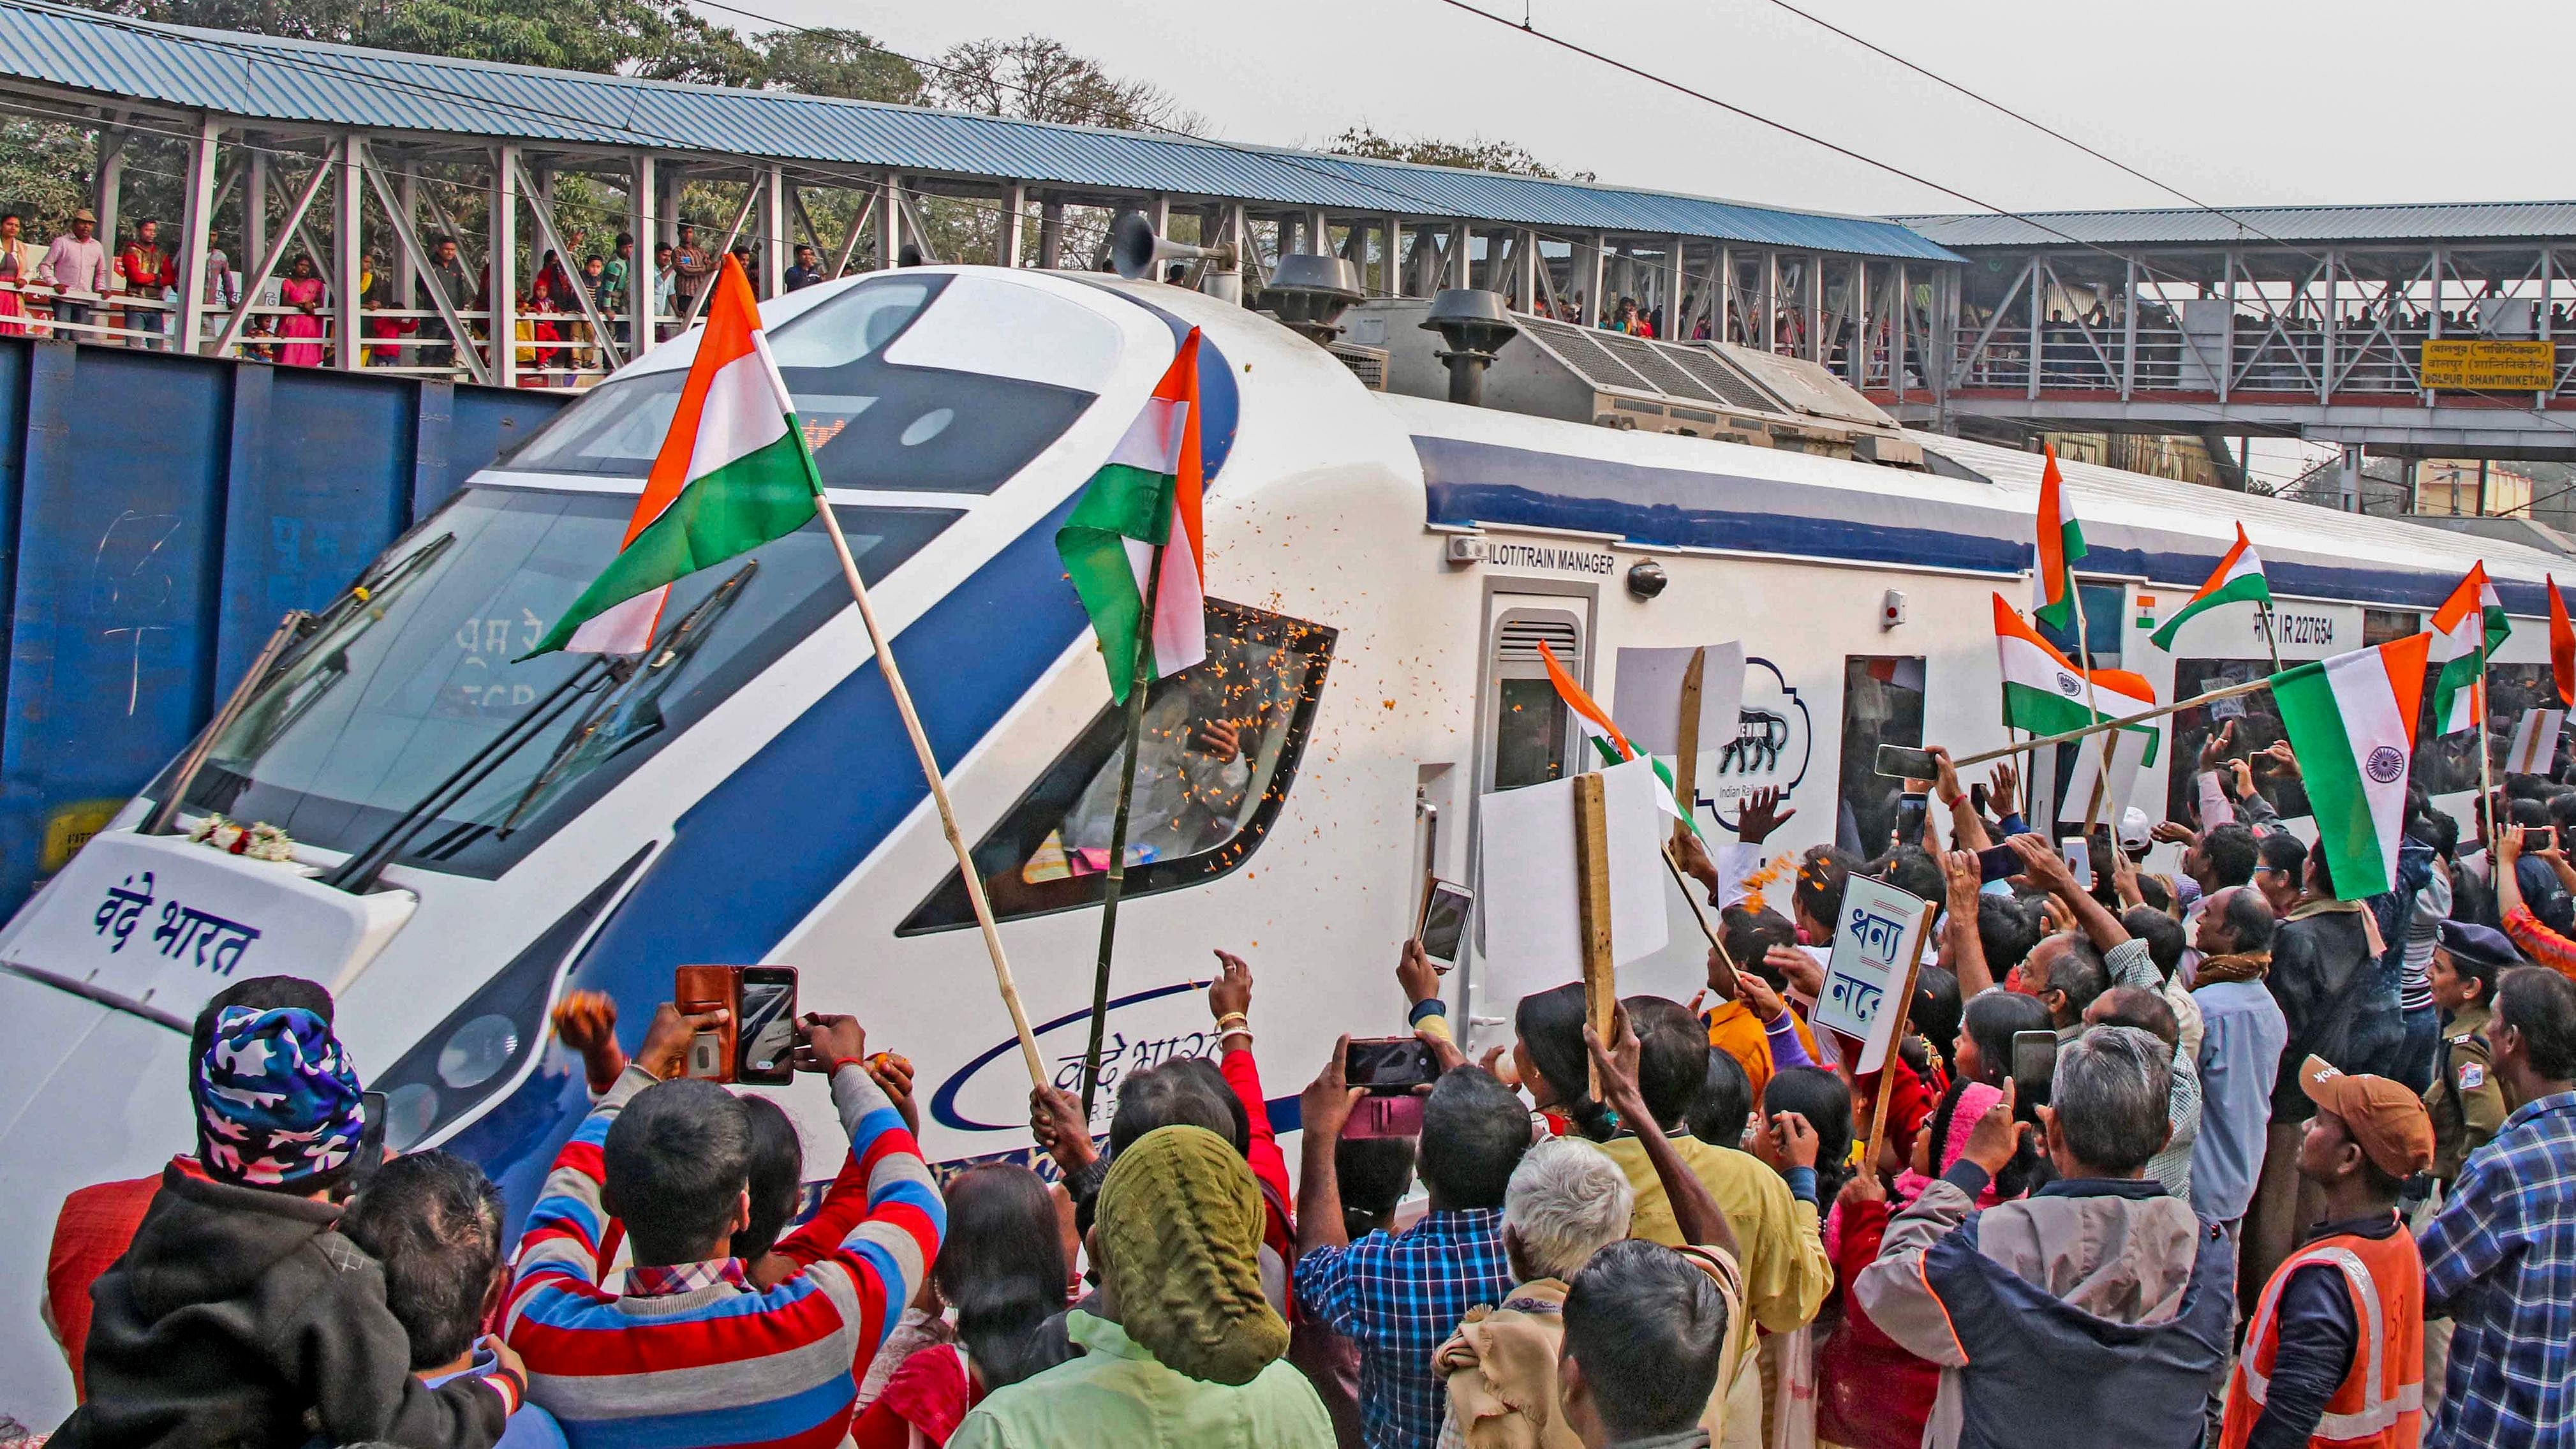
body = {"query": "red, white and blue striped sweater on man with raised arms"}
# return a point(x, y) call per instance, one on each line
point(717, 1363)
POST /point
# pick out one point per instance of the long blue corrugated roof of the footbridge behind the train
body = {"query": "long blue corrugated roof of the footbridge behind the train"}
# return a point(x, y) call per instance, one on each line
point(346, 86)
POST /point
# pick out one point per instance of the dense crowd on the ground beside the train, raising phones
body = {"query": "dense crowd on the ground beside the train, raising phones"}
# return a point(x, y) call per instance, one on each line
point(2157, 1159)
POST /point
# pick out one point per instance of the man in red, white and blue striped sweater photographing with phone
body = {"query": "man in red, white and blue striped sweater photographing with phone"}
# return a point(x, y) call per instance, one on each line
point(668, 1159)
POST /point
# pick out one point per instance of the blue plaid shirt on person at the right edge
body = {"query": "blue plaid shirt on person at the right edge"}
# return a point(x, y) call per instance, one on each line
point(2503, 1262)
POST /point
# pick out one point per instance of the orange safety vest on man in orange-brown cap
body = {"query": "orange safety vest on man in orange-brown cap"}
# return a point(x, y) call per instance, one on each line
point(2382, 1401)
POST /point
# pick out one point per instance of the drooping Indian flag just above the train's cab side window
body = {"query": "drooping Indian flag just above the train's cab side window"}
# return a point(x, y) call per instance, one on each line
point(1145, 499)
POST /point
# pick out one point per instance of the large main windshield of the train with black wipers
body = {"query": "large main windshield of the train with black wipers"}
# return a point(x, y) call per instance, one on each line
point(421, 682)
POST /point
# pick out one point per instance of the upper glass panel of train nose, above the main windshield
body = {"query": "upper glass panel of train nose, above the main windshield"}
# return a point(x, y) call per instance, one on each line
point(875, 424)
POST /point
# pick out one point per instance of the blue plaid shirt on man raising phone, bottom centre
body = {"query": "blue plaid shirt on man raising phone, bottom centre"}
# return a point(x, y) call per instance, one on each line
point(1400, 1298)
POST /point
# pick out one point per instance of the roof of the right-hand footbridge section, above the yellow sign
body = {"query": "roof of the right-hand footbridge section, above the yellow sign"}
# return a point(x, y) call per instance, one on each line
point(2258, 226)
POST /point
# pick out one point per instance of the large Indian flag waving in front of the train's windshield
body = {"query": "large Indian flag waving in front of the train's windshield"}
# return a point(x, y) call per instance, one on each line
point(733, 476)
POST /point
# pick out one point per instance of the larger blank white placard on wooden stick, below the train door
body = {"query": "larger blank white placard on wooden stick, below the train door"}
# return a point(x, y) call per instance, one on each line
point(1529, 893)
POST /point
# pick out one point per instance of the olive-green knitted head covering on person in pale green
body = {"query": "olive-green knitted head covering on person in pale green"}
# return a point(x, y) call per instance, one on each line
point(1181, 1244)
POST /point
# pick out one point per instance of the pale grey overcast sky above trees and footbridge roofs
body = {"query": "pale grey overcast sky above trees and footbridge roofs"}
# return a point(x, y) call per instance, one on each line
point(2235, 102)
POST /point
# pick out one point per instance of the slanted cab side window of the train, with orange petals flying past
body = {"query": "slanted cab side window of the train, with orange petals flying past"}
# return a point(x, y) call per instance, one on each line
point(1220, 752)
